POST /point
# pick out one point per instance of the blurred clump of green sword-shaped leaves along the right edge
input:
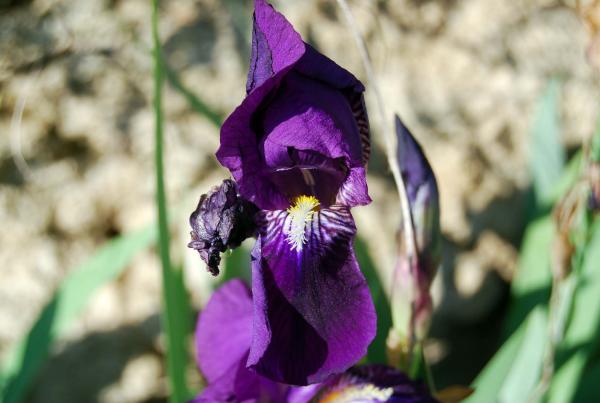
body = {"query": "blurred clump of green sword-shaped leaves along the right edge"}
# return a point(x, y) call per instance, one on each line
point(552, 328)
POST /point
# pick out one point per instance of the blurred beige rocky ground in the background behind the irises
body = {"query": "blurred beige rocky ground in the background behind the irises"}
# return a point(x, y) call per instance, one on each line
point(76, 156)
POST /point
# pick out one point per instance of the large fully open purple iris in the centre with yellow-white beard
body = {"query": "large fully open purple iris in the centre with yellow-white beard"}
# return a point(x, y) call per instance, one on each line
point(297, 148)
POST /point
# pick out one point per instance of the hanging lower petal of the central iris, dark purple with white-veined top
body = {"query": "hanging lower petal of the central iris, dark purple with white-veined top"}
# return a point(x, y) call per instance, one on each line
point(314, 315)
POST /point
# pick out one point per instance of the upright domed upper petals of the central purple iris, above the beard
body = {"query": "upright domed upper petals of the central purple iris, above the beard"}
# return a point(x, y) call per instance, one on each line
point(279, 61)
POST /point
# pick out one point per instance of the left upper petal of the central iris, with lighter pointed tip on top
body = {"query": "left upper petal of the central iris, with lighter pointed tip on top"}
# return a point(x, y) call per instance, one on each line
point(271, 59)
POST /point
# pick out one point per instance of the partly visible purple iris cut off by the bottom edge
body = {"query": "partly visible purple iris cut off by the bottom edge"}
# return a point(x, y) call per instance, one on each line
point(223, 338)
